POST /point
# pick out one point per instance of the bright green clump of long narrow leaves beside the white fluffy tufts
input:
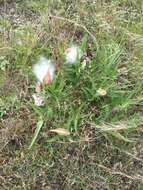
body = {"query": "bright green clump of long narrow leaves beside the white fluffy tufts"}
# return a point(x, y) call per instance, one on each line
point(73, 95)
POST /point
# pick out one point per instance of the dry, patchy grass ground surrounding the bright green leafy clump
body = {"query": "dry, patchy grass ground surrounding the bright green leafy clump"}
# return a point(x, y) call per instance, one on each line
point(93, 159)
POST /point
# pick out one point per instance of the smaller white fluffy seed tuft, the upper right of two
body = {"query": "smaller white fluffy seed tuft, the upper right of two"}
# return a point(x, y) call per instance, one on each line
point(72, 54)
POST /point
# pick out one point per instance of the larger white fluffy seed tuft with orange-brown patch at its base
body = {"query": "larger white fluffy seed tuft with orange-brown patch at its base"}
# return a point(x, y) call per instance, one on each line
point(44, 70)
